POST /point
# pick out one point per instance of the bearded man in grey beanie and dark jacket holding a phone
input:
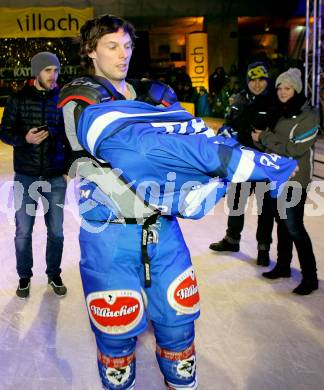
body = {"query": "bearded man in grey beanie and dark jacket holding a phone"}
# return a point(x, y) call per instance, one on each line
point(34, 126)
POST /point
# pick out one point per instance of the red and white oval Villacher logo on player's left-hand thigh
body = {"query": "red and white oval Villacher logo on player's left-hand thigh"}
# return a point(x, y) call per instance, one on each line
point(115, 311)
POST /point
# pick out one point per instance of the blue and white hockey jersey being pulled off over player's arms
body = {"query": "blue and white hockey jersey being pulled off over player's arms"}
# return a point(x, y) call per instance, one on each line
point(170, 158)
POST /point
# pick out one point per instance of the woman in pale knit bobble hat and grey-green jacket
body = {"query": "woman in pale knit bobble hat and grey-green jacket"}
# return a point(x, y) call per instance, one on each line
point(294, 135)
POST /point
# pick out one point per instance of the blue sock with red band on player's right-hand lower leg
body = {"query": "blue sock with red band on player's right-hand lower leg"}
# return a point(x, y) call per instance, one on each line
point(176, 356)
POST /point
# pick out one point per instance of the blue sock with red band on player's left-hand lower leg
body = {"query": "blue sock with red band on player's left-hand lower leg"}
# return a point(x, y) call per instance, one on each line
point(116, 363)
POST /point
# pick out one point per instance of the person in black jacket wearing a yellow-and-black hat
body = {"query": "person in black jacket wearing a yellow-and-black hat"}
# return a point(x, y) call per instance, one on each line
point(252, 109)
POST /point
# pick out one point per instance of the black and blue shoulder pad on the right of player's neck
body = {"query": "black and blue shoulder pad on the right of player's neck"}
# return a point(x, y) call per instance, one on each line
point(155, 92)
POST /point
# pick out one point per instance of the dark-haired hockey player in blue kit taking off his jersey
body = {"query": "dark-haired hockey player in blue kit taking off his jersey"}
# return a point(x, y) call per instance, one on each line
point(151, 162)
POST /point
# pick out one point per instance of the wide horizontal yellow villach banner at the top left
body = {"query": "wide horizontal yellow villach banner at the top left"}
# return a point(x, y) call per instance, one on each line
point(42, 22)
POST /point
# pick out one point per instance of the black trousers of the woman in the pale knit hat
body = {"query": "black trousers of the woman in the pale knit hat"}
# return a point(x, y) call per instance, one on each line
point(291, 230)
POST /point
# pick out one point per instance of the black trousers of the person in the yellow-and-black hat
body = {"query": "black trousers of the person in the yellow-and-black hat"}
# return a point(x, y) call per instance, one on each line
point(237, 202)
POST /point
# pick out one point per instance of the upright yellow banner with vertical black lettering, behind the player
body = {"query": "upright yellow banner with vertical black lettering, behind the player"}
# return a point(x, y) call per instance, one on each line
point(197, 59)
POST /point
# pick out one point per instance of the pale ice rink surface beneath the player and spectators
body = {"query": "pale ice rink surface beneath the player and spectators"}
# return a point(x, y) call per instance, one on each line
point(253, 334)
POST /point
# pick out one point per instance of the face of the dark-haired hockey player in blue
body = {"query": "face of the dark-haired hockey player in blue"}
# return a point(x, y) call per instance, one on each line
point(112, 55)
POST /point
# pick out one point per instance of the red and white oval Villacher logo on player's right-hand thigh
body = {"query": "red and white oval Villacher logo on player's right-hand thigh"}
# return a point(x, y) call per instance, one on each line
point(183, 294)
